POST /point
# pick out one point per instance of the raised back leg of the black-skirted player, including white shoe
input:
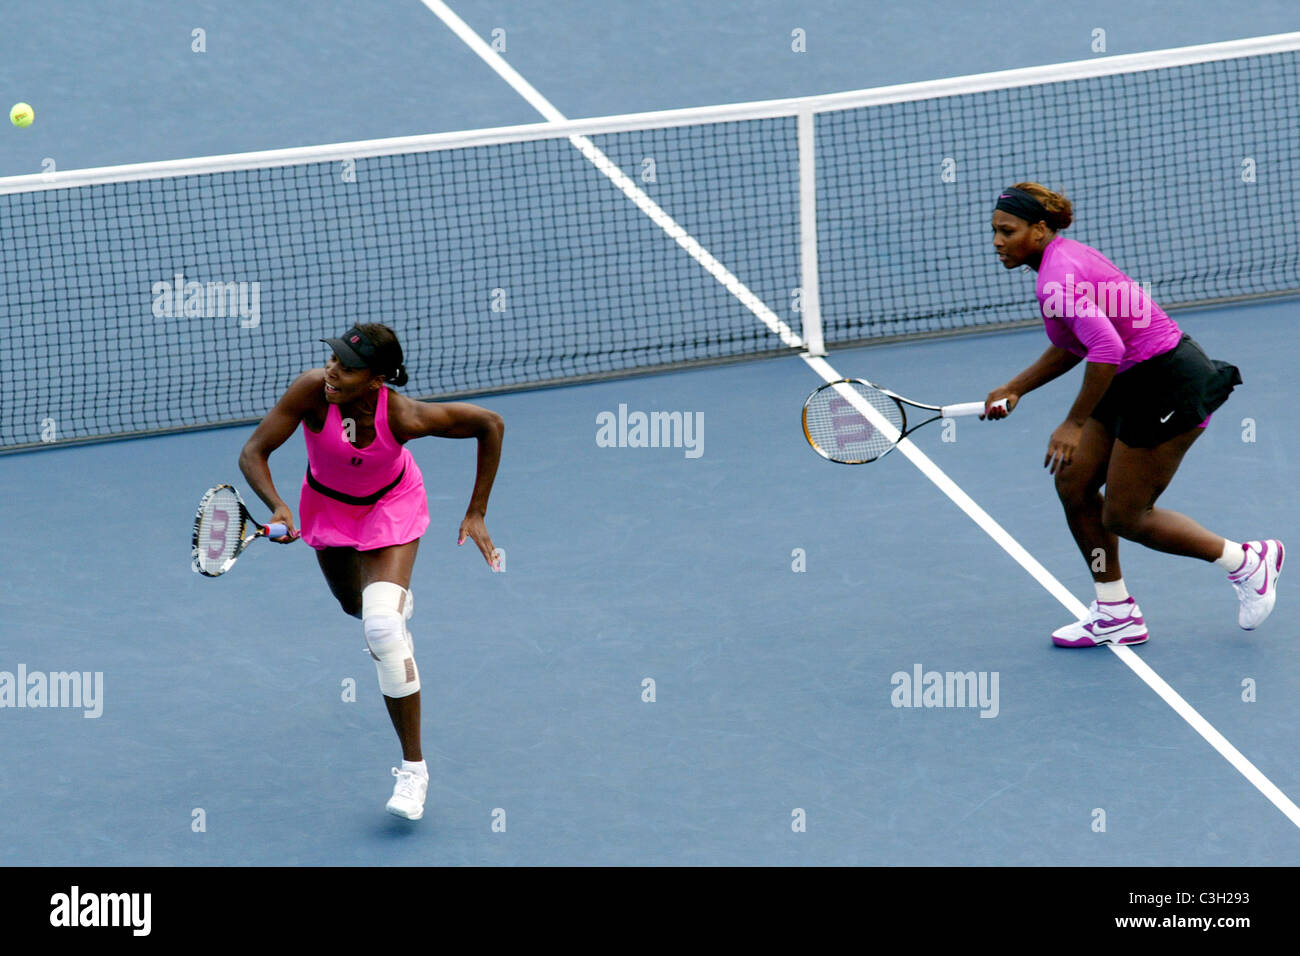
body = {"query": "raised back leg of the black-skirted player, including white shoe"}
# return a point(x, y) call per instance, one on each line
point(1137, 479)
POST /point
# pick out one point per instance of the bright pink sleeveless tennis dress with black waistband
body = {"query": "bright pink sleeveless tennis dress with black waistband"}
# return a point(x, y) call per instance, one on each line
point(362, 499)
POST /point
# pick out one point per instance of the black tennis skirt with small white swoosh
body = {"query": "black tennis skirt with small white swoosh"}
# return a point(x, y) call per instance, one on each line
point(1167, 395)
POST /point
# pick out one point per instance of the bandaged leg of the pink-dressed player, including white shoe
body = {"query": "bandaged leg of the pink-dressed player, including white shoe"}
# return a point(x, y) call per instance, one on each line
point(388, 605)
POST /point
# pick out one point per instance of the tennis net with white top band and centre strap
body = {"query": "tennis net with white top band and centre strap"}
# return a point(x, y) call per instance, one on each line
point(189, 295)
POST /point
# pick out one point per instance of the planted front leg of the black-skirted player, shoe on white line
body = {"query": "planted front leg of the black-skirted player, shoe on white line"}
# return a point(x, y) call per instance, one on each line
point(1115, 617)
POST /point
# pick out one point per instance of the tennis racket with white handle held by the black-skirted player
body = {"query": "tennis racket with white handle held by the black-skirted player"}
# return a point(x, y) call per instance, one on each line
point(838, 427)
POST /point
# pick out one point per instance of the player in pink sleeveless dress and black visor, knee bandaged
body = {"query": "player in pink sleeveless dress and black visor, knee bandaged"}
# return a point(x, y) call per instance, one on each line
point(363, 507)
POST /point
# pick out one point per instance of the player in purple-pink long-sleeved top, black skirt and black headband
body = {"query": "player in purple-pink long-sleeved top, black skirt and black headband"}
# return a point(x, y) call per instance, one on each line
point(1147, 395)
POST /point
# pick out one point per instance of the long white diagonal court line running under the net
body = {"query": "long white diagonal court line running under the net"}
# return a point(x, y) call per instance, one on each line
point(824, 369)
